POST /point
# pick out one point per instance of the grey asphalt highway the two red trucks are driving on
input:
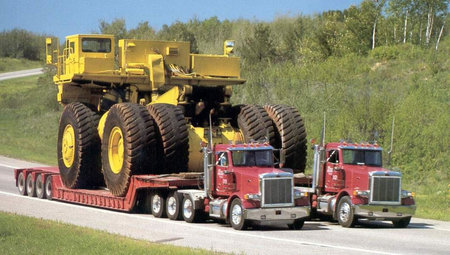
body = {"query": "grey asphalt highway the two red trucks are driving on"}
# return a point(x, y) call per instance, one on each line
point(317, 237)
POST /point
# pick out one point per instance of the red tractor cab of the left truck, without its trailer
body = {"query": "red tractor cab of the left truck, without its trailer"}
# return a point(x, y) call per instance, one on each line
point(243, 186)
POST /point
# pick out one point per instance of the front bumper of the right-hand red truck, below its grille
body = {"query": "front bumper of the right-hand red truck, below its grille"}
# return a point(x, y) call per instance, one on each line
point(384, 212)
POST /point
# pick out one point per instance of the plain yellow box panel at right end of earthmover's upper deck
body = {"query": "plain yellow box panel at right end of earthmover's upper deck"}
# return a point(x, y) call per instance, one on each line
point(215, 65)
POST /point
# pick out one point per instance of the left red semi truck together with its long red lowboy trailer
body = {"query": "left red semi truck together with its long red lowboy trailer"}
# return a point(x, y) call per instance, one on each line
point(240, 185)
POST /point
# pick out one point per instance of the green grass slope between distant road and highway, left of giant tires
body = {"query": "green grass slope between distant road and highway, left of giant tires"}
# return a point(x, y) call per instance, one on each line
point(29, 119)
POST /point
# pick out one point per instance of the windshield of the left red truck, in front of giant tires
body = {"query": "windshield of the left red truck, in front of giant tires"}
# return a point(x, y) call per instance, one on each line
point(252, 158)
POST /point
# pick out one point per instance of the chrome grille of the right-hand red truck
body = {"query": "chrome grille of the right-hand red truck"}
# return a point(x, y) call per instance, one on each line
point(385, 189)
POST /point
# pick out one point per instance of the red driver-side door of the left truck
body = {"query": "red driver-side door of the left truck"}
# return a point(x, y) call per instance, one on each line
point(224, 177)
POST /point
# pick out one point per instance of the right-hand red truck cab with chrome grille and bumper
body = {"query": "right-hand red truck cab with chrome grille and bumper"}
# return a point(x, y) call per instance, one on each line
point(350, 183)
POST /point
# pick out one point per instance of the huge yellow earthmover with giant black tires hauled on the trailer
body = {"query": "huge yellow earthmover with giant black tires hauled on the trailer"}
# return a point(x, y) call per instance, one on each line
point(146, 106)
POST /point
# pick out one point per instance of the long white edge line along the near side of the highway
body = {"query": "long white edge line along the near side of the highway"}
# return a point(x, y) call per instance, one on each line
point(224, 231)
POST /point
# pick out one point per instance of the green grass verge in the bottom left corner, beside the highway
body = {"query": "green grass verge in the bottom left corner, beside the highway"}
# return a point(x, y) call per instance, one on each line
point(26, 235)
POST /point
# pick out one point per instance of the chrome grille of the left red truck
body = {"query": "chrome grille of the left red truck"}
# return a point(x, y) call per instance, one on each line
point(277, 192)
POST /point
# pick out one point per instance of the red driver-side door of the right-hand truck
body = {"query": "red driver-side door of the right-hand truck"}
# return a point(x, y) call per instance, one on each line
point(335, 176)
